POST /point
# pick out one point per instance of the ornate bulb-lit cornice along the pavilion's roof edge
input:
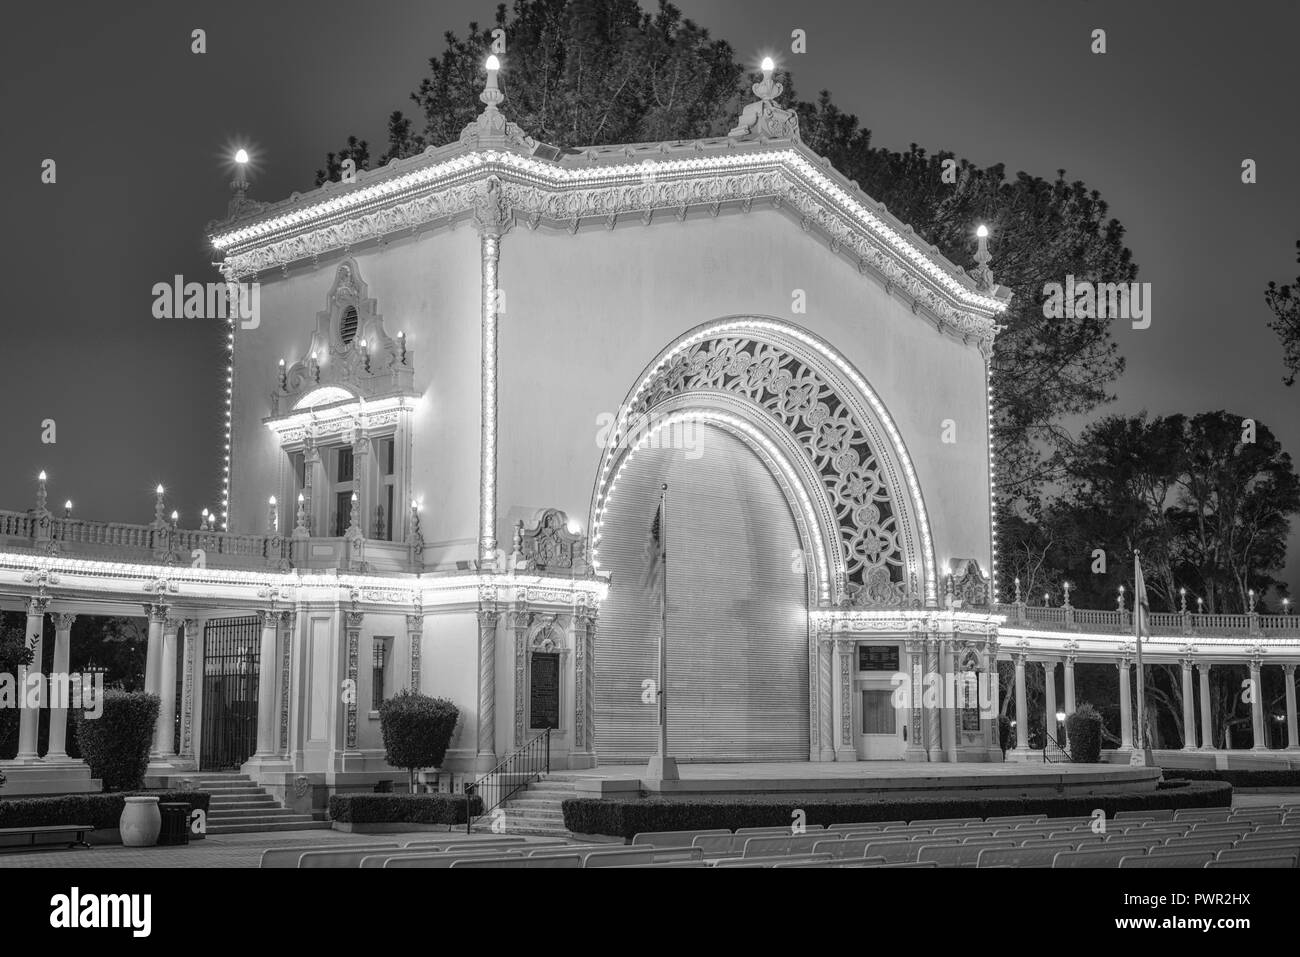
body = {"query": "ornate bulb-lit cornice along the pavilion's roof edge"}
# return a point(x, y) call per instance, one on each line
point(603, 185)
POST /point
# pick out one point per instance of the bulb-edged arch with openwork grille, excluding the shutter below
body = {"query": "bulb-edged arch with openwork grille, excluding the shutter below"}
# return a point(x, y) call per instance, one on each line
point(833, 443)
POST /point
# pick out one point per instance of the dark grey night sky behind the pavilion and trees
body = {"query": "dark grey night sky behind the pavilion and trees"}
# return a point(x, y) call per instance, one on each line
point(142, 132)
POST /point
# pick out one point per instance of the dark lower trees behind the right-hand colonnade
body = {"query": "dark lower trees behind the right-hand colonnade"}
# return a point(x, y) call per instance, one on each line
point(1207, 501)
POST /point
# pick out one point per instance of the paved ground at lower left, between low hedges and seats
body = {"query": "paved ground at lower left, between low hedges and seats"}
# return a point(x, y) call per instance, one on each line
point(224, 851)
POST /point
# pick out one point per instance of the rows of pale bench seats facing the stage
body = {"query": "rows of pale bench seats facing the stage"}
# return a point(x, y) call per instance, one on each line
point(1194, 838)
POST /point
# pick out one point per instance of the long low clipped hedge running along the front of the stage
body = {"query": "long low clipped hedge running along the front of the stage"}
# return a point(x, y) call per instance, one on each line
point(629, 819)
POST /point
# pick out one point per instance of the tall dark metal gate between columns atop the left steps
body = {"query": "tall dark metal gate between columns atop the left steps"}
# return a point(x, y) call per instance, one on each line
point(232, 648)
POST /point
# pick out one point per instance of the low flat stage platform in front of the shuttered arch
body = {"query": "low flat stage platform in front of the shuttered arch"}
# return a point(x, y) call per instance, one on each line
point(827, 781)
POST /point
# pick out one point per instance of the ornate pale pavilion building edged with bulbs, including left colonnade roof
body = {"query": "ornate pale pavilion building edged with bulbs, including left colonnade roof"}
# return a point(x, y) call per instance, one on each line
point(471, 375)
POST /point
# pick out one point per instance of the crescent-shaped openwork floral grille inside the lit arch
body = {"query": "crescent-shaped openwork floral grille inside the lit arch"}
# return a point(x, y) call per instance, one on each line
point(827, 431)
